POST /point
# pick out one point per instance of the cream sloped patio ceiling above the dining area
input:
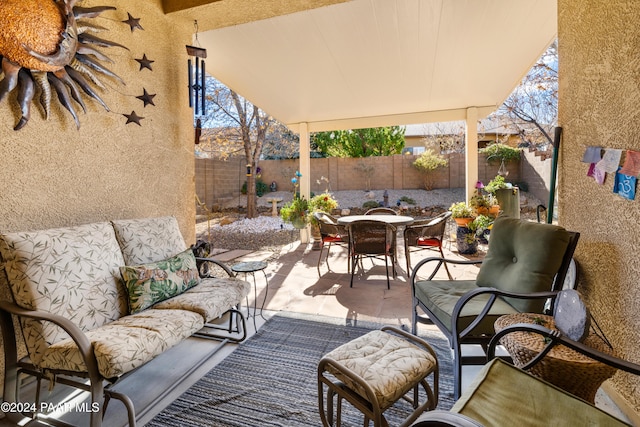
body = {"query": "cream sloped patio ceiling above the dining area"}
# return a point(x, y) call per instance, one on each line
point(366, 63)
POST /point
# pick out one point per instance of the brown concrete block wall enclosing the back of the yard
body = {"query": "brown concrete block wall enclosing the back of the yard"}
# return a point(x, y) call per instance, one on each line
point(218, 181)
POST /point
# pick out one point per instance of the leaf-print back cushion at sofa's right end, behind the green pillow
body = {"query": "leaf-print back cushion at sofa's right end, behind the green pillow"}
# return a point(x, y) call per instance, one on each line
point(148, 239)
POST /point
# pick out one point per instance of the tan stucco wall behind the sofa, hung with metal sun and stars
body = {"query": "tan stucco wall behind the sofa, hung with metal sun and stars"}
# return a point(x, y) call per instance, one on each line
point(54, 175)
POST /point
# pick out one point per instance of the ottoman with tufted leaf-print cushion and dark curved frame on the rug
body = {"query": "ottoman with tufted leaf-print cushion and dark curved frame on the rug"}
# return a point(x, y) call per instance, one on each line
point(374, 371)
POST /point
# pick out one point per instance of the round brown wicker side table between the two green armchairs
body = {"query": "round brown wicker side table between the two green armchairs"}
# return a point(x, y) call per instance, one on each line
point(562, 366)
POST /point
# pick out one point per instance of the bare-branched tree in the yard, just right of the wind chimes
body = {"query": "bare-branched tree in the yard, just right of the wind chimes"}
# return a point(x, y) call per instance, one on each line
point(235, 125)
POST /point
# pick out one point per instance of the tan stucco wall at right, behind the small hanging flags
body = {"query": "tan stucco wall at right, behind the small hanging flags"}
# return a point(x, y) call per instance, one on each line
point(599, 98)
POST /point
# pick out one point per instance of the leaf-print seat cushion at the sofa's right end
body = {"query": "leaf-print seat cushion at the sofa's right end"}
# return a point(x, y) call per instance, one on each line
point(211, 298)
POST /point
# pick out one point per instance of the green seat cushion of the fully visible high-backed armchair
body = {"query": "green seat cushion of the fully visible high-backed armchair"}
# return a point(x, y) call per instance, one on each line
point(441, 296)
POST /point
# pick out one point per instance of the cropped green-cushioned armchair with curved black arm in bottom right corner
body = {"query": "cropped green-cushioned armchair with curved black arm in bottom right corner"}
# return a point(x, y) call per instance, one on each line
point(504, 395)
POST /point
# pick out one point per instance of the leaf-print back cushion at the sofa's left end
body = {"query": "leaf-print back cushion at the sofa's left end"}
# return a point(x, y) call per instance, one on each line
point(71, 271)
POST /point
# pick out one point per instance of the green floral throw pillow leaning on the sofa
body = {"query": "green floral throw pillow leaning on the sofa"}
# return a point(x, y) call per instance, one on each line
point(151, 283)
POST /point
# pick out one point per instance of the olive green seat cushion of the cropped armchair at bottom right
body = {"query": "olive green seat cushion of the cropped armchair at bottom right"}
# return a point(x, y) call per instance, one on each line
point(503, 395)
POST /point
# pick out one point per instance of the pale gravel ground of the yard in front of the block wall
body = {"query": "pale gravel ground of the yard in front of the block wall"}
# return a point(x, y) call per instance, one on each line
point(230, 230)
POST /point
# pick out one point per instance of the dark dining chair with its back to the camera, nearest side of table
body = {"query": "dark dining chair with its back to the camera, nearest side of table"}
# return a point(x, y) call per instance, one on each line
point(372, 239)
